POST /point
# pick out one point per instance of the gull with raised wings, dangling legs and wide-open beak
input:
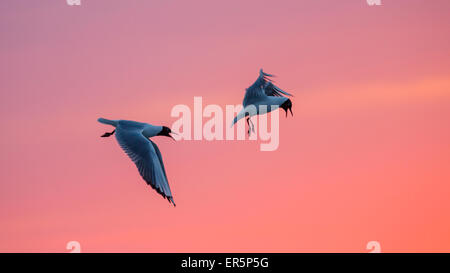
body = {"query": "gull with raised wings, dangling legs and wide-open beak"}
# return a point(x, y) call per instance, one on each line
point(263, 92)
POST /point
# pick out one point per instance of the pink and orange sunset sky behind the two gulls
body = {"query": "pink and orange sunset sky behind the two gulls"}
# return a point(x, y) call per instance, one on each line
point(365, 157)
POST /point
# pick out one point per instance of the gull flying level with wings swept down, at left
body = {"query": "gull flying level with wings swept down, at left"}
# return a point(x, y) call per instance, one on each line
point(133, 138)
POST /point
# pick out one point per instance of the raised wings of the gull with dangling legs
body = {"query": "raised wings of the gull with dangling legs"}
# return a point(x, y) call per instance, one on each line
point(263, 86)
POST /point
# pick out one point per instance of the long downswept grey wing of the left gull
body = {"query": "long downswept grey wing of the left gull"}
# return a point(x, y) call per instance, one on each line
point(147, 157)
